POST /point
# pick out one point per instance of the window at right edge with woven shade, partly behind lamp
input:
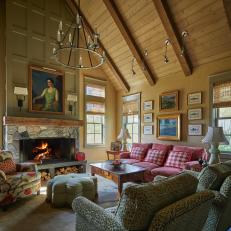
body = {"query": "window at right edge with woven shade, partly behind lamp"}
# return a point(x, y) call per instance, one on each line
point(222, 110)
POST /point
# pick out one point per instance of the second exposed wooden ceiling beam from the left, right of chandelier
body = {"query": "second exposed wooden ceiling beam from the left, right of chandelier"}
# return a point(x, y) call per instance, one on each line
point(136, 52)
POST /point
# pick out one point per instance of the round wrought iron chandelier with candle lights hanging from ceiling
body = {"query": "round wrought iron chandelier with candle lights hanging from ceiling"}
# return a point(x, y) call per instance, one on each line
point(78, 48)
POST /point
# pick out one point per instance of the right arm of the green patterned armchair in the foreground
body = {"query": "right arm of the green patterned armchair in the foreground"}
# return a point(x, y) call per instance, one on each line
point(178, 216)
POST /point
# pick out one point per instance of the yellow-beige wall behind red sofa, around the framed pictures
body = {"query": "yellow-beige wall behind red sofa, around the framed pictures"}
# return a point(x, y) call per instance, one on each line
point(198, 81)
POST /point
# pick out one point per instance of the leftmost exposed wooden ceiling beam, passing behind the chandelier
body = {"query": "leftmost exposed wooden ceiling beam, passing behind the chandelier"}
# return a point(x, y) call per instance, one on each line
point(73, 7)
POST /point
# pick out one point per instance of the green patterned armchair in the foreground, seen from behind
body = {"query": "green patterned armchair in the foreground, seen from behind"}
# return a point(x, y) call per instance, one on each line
point(160, 206)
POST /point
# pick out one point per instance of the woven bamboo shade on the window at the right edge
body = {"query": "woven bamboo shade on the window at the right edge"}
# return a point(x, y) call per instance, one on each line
point(222, 94)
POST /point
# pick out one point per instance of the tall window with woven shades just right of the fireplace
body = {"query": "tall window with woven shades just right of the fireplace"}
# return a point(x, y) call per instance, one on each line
point(95, 113)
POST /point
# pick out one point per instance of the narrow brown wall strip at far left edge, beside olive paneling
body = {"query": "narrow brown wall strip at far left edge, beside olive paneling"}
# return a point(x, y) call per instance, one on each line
point(2, 64)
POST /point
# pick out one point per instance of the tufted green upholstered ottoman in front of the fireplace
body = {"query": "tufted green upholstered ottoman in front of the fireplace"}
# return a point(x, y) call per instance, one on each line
point(61, 190)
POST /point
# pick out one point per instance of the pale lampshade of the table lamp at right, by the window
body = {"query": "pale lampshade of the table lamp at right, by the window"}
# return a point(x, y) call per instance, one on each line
point(215, 135)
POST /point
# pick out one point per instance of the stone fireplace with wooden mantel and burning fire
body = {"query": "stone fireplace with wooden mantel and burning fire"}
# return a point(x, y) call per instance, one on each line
point(24, 137)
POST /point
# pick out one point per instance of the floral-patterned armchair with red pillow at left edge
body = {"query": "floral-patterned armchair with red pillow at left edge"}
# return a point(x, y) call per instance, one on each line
point(16, 180)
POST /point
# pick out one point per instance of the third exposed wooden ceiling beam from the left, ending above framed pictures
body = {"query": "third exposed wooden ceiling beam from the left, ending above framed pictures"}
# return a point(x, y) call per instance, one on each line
point(173, 34)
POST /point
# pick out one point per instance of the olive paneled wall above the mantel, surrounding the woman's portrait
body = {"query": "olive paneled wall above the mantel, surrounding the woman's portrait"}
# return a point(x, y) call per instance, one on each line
point(31, 28)
